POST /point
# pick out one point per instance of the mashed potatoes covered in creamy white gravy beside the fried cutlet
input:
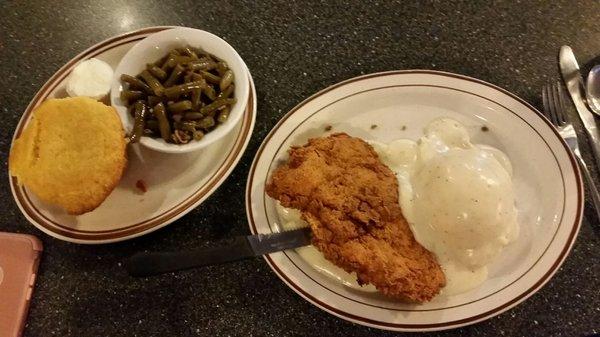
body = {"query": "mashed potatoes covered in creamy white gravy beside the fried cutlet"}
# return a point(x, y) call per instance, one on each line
point(458, 198)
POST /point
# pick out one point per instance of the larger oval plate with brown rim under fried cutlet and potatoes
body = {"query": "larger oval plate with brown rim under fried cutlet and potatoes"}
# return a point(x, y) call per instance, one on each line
point(547, 181)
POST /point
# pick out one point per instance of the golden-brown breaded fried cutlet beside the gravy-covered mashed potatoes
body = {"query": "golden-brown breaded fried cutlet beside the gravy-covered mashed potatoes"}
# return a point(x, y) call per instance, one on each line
point(350, 199)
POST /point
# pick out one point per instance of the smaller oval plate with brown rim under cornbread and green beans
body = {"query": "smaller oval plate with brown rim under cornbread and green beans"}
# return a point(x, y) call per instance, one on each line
point(176, 182)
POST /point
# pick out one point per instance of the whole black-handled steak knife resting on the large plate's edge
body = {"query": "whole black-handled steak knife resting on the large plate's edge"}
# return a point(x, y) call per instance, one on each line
point(241, 247)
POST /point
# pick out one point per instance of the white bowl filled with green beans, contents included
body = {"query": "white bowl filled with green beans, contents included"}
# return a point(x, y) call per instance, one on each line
point(180, 90)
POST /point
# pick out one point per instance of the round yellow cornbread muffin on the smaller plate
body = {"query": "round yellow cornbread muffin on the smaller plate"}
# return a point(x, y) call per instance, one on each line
point(71, 154)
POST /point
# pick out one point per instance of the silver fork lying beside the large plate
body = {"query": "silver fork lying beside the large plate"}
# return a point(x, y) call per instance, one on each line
point(553, 99)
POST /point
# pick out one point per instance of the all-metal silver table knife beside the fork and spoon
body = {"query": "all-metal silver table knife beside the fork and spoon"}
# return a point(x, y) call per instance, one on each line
point(569, 69)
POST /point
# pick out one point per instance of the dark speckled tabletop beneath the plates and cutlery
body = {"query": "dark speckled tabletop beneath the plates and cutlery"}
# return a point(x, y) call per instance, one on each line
point(292, 50)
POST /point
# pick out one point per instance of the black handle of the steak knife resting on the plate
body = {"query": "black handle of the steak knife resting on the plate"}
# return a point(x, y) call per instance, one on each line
point(148, 264)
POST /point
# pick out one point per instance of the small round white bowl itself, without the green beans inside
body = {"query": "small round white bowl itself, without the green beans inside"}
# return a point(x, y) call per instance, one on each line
point(158, 45)
